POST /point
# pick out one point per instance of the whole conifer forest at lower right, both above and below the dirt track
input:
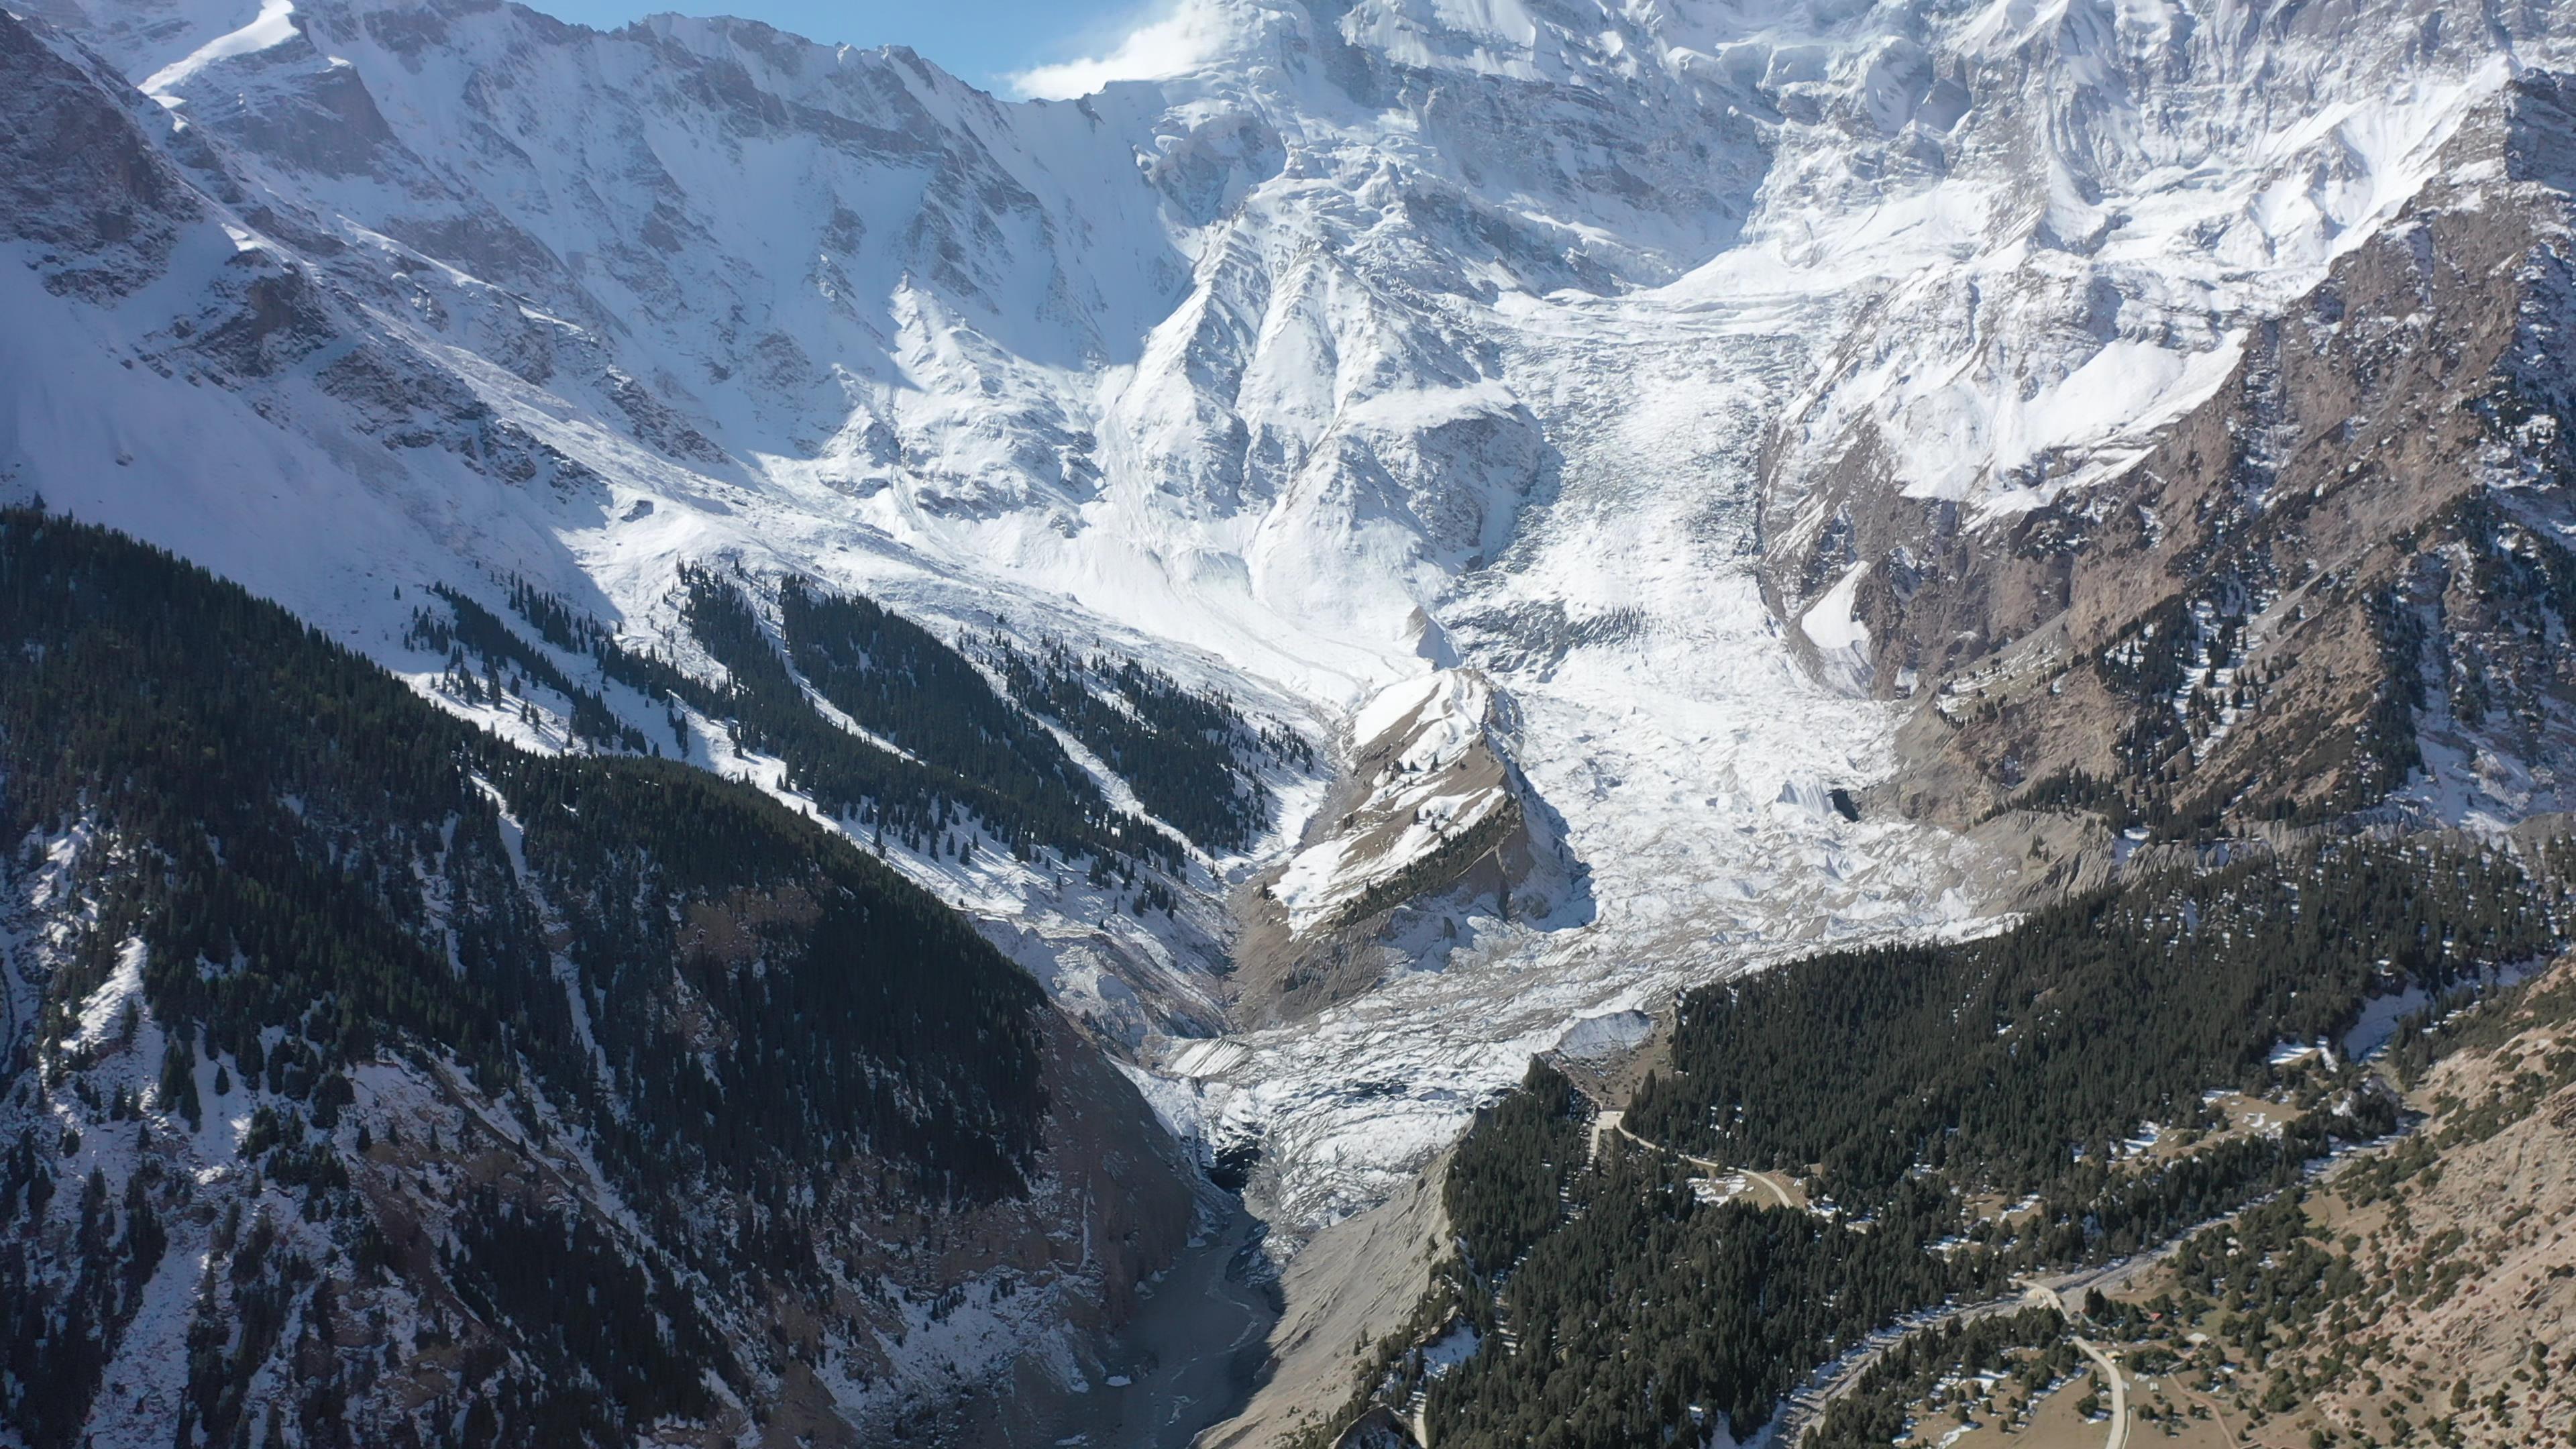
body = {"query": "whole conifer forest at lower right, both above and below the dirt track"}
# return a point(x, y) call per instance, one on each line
point(1619, 1301)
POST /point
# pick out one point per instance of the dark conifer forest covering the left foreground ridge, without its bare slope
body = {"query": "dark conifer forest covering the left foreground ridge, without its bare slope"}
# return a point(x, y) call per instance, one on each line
point(751, 1027)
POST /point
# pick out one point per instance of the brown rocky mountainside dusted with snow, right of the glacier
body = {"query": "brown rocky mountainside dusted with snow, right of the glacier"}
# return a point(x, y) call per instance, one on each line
point(2330, 589)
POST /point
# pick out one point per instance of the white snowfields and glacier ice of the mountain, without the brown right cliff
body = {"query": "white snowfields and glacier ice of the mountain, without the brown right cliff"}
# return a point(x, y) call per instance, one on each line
point(1382, 339)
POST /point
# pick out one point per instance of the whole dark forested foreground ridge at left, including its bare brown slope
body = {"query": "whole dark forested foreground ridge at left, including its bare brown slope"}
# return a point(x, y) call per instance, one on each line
point(401, 1043)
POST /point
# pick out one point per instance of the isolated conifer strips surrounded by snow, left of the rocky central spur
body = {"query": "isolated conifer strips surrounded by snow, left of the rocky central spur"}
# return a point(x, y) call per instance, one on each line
point(970, 767)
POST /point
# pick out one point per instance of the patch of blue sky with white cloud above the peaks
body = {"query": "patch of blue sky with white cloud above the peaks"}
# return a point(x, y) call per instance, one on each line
point(985, 43)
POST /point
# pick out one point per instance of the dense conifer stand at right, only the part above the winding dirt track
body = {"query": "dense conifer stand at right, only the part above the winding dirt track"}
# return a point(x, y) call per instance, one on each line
point(2016, 1058)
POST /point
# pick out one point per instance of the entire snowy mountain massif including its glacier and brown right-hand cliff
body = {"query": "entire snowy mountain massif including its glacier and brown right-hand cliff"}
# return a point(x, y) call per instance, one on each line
point(1830, 440)
